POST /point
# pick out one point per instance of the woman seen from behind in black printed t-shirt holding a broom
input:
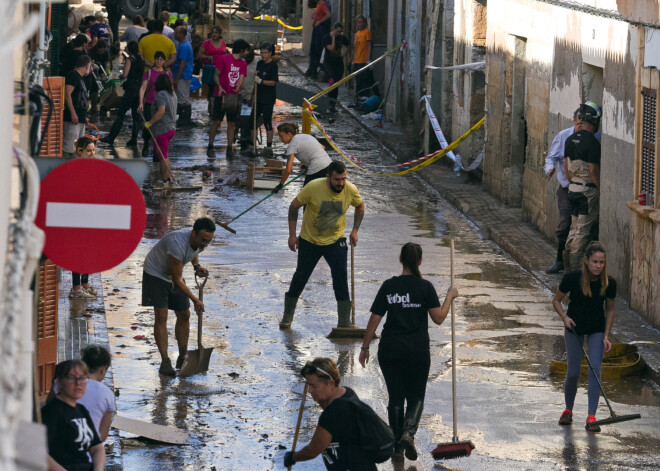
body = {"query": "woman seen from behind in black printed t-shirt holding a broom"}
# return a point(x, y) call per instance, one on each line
point(403, 351)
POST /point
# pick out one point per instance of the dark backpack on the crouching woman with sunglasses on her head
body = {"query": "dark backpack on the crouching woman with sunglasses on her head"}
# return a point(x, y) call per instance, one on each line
point(376, 437)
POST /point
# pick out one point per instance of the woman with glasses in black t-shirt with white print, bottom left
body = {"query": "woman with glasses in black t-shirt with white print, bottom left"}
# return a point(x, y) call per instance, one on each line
point(70, 431)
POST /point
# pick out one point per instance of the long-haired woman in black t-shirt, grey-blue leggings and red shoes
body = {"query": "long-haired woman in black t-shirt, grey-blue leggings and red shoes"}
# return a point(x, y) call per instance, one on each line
point(590, 288)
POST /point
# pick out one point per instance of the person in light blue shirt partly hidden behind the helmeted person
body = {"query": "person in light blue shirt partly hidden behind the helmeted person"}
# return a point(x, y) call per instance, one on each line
point(554, 161)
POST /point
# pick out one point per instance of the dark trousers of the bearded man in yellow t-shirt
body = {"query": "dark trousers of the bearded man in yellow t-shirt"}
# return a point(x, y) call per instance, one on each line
point(309, 254)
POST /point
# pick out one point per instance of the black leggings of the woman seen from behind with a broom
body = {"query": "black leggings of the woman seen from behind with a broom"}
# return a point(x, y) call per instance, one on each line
point(405, 378)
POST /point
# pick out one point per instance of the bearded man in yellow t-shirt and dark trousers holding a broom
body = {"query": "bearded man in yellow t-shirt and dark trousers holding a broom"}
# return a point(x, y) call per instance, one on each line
point(322, 235)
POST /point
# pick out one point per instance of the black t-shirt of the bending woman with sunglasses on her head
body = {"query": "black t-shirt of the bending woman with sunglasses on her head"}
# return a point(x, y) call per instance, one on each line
point(344, 452)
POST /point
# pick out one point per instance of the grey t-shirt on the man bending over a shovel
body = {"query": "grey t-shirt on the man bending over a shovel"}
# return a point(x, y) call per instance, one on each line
point(176, 244)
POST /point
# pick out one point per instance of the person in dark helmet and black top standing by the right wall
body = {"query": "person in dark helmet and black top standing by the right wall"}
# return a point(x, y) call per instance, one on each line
point(582, 167)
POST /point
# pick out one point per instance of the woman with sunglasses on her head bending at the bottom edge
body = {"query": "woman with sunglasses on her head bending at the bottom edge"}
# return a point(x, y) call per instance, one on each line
point(337, 435)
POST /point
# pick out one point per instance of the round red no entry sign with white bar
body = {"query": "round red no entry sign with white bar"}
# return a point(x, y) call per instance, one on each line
point(93, 214)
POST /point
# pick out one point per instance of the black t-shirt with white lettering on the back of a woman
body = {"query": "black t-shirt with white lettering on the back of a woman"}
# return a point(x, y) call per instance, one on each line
point(406, 299)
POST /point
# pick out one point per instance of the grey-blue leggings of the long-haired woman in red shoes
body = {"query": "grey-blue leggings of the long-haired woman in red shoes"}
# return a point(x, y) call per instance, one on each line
point(573, 364)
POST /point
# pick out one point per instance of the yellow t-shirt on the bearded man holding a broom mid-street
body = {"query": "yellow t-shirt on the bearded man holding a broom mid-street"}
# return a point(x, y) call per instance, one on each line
point(324, 220)
